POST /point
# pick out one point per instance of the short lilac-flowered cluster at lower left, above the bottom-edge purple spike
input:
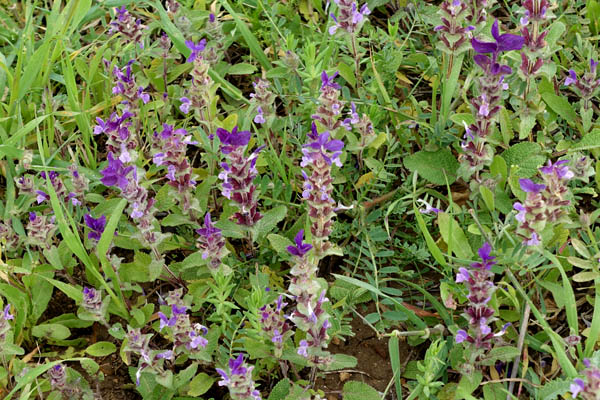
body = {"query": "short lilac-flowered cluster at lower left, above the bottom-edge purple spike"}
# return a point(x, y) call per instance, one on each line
point(186, 337)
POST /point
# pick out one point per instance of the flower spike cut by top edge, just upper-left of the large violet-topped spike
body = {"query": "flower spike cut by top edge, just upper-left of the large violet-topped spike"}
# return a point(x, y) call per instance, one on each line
point(453, 35)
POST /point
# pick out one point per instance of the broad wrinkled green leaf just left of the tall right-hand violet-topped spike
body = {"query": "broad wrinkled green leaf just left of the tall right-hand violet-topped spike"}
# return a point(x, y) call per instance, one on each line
point(436, 166)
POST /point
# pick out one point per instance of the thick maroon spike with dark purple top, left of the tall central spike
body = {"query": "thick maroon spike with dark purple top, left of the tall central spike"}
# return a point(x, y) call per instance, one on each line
point(238, 174)
